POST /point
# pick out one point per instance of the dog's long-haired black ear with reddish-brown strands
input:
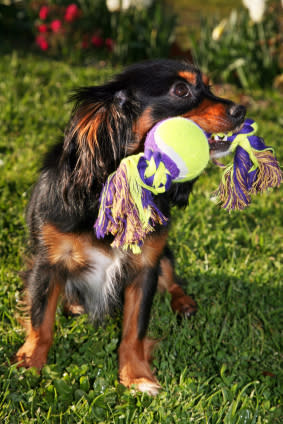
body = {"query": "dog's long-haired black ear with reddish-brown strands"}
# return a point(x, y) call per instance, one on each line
point(100, 131)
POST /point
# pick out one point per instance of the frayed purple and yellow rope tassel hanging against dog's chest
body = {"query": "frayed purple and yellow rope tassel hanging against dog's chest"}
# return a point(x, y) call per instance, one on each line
point(127, 210)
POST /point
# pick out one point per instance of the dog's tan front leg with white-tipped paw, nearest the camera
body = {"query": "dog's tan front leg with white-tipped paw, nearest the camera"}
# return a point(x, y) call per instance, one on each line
point(135, 348)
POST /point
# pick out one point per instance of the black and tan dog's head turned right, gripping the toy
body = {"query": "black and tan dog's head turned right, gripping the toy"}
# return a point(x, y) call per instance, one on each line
point(111, 121)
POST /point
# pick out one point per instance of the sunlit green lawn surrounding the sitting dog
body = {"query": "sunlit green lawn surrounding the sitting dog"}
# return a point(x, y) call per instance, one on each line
point(223, 365)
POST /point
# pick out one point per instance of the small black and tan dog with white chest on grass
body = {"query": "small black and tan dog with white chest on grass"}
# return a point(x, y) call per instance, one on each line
point(108, 123)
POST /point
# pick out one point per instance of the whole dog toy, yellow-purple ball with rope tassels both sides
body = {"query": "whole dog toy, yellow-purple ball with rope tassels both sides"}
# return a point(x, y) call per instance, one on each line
point(127, 207)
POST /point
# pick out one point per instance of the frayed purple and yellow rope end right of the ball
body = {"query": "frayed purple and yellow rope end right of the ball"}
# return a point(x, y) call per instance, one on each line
point(253, 170)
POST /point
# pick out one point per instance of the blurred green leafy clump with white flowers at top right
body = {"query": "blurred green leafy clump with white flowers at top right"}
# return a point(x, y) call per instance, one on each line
point(244, 48)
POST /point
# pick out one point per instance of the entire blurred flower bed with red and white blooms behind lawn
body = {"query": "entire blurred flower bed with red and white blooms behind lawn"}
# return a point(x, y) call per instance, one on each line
point(243, 47)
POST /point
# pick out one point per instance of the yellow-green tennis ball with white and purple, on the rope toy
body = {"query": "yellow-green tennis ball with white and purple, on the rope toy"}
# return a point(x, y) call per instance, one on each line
point(184, 147)
